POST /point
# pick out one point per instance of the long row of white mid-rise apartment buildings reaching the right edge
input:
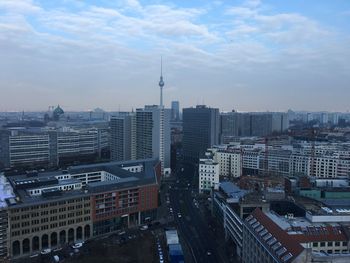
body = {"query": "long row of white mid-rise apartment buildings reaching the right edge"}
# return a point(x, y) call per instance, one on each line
point(284, 160)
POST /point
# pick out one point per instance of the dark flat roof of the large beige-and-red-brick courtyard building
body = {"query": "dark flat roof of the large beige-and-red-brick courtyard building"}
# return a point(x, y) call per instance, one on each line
point(126, 179)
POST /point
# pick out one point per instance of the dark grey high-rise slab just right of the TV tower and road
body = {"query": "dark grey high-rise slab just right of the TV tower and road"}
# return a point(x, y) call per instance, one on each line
point(200, 131)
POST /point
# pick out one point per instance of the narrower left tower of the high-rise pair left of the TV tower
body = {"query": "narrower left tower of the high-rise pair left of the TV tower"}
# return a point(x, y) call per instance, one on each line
point(123, 143)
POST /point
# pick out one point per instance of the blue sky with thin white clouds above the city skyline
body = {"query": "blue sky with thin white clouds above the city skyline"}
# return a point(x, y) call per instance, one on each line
point(248, 55)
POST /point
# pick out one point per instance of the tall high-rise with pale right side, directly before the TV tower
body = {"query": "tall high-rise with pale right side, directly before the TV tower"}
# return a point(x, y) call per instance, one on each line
point(148, 134)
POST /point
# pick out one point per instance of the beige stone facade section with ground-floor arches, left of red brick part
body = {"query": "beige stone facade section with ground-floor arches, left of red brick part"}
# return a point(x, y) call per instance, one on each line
point(34, 227)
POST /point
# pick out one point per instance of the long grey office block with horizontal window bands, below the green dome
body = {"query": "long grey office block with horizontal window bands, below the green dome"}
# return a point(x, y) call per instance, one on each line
point(48, 148)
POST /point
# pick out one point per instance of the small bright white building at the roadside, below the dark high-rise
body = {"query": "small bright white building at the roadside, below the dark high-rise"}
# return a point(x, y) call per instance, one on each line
point(209, 171)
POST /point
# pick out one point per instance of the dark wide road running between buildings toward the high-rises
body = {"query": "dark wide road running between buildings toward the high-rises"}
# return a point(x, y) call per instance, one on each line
point(193, 225)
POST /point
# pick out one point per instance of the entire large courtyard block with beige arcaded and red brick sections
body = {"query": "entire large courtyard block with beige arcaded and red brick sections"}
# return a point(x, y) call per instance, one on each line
point(53, 209)
